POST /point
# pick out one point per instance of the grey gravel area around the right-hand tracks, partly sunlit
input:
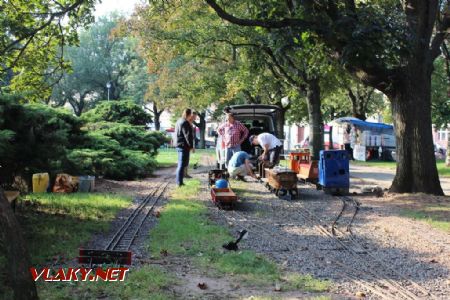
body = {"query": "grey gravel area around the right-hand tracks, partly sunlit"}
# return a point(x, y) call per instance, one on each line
point(387, 256)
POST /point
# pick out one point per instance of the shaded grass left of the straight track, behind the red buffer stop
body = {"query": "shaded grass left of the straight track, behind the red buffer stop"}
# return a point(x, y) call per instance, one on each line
point(55, 225)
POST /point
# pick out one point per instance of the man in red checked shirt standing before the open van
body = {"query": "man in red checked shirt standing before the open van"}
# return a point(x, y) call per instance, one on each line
point(233, 133)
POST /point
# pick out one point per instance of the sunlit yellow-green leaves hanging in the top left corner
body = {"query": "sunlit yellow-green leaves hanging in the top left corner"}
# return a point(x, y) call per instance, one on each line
point(31, 38)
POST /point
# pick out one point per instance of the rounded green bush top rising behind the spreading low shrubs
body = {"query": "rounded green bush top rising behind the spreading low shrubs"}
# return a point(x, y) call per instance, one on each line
point(118, 111)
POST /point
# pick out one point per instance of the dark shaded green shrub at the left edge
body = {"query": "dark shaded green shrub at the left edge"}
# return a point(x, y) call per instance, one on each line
point(38, 137)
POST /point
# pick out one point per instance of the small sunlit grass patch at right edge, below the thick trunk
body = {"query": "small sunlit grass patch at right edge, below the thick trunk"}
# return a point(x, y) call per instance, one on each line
point(437, 216)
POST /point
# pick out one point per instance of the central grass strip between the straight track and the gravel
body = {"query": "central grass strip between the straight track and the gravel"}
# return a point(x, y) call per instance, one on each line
point(184, 229)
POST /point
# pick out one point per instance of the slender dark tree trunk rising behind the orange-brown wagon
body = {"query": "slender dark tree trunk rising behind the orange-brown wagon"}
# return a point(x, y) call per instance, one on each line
point(315, 118)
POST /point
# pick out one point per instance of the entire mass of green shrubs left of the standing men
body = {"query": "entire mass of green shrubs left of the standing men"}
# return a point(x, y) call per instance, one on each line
point(37, 138)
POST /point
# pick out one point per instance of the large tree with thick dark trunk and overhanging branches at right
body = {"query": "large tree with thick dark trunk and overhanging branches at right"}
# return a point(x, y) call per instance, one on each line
point(389, 45)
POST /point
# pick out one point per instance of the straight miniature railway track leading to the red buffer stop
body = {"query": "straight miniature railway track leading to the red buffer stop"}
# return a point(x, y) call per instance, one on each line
point(127, 233)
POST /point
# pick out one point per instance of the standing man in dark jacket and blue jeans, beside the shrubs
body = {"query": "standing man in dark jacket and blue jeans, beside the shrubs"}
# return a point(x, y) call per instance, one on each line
point(184, 143)
